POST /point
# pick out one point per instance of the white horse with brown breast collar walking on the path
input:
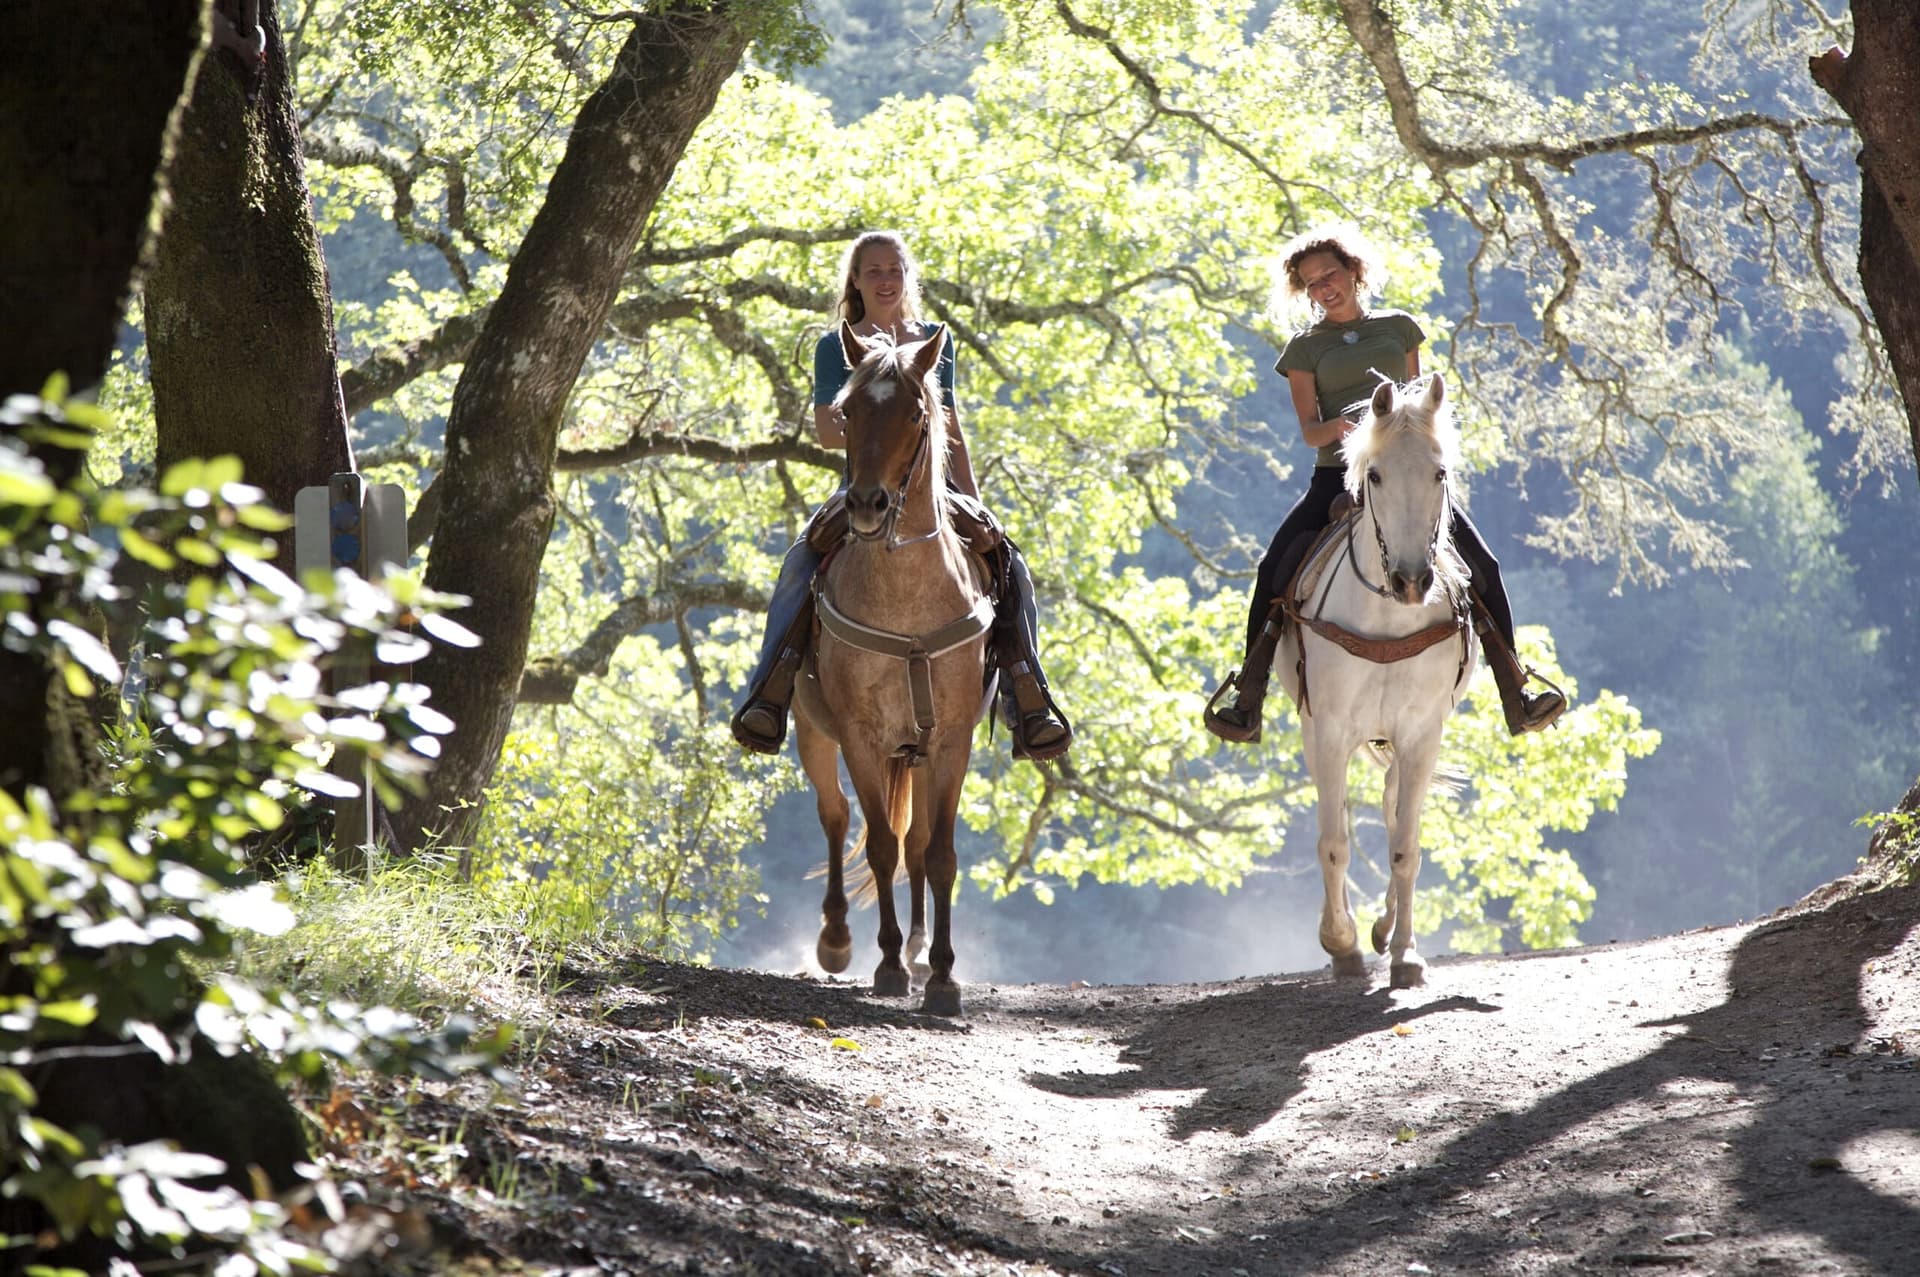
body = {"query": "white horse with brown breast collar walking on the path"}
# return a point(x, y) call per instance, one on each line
point(1380, 654)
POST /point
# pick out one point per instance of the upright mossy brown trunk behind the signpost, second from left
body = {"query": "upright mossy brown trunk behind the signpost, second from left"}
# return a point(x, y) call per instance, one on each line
point(239, 310)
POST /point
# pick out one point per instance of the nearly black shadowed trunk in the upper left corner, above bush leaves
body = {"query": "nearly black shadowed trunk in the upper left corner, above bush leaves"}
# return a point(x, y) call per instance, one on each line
point(87, 95)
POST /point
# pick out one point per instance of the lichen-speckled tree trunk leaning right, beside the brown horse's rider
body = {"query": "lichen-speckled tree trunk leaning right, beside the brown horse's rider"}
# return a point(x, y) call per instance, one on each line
point(504, 425)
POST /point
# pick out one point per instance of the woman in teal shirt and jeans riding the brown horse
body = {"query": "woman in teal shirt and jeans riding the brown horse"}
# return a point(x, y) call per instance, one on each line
point(880, 295)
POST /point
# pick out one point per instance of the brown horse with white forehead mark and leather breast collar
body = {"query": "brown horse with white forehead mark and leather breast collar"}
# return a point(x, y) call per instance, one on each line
point(898, 669)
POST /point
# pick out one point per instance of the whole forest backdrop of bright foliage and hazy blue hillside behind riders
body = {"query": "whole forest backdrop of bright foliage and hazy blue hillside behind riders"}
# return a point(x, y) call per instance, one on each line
point(1714, 558)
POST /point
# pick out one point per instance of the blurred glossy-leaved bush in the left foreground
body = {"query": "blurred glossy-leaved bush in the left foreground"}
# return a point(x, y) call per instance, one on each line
point(114, 902)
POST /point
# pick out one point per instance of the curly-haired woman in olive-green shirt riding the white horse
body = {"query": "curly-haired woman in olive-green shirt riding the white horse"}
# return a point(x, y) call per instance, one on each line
point(1332, 370)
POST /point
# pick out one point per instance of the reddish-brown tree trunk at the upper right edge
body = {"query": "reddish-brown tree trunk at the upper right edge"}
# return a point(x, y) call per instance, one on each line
point(1879, 85)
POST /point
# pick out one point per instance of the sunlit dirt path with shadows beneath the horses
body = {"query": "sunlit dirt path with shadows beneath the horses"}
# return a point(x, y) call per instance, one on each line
point(1731, 1101)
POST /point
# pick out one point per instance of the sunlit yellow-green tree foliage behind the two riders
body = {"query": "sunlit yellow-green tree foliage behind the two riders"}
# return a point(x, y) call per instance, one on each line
point(1101, 260)
